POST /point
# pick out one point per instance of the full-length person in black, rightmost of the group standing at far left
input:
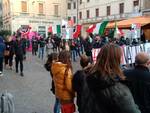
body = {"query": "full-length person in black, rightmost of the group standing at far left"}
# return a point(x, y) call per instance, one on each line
point(19, 48)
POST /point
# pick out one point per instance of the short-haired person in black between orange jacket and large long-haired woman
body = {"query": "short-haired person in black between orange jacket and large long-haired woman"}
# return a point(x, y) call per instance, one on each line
point(78, 79)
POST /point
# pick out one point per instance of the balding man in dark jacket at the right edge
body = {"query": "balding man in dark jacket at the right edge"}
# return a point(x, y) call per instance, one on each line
point(138, 80)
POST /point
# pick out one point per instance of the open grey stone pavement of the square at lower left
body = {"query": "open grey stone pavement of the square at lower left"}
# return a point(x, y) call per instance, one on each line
point(31, 92)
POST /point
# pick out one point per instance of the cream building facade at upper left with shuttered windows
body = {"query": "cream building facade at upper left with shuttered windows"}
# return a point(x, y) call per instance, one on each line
point(38, 14)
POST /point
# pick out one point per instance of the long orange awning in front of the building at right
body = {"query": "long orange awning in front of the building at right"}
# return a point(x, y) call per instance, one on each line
point(124, 24)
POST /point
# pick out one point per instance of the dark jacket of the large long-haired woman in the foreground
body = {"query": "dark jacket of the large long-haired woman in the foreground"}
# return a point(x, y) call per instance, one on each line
point(110, 95)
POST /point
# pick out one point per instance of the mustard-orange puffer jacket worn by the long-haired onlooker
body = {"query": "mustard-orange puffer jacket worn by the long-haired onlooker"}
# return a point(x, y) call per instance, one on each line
point(62, 81)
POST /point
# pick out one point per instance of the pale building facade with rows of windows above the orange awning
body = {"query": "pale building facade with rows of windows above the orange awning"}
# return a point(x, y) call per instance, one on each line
point(95, 11)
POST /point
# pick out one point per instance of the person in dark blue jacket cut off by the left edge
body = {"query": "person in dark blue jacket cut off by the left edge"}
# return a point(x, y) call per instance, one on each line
point(2, 49)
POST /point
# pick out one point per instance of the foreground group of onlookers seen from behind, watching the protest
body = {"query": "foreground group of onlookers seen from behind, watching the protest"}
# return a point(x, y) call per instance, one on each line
point(103, 87)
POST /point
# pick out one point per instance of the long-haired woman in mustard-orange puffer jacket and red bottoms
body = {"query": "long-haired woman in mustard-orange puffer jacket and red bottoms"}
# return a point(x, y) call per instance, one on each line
point(62, 76)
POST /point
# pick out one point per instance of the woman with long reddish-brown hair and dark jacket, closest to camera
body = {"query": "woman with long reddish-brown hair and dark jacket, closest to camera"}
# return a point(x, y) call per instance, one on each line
point(104, 93)
